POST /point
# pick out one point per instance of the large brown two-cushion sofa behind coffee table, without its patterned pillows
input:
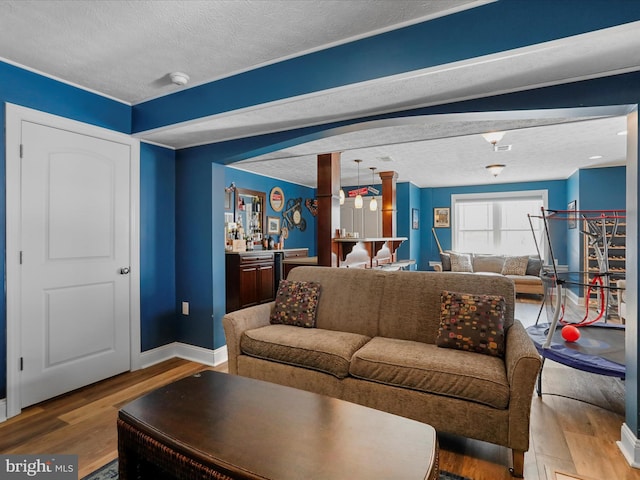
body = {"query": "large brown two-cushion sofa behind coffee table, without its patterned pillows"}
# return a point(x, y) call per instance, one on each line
point(374, 344)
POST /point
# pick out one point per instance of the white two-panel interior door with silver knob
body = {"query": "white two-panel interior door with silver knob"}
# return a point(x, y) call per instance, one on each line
point(75, 259)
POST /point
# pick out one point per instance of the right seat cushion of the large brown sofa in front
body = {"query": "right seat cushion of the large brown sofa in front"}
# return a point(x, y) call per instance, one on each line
point(426, 368)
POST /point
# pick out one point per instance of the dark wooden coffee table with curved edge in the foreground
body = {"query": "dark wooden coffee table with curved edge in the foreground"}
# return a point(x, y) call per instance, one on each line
point(221, 426)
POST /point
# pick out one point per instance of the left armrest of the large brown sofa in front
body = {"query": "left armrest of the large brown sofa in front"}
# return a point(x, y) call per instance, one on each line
point(235, 323)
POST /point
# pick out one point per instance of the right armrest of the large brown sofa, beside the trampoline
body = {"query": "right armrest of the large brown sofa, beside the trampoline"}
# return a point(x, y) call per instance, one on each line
point(523, 364)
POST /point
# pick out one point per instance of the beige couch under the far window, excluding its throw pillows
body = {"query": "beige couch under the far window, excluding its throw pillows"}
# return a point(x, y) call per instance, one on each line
point(528, 281)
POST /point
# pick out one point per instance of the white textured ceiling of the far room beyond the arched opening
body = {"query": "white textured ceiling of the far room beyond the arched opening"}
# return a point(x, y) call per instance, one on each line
point(550, 152)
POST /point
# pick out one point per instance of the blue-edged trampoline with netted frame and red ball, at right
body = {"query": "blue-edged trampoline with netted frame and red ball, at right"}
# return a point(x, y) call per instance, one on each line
point(598, 347)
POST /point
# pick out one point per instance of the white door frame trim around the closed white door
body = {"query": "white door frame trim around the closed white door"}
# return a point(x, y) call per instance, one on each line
point(15, 115)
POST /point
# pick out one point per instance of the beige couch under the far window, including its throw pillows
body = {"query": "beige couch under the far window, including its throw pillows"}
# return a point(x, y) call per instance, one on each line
point(523, 270)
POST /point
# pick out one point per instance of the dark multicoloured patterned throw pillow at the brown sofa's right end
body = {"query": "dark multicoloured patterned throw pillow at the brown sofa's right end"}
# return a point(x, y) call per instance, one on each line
point(474, 323)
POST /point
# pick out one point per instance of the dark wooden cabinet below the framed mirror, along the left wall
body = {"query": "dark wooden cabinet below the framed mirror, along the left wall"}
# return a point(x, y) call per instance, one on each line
point(250, 279)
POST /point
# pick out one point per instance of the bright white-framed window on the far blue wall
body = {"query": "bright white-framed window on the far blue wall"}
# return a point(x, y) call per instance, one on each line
point(499, 223)
